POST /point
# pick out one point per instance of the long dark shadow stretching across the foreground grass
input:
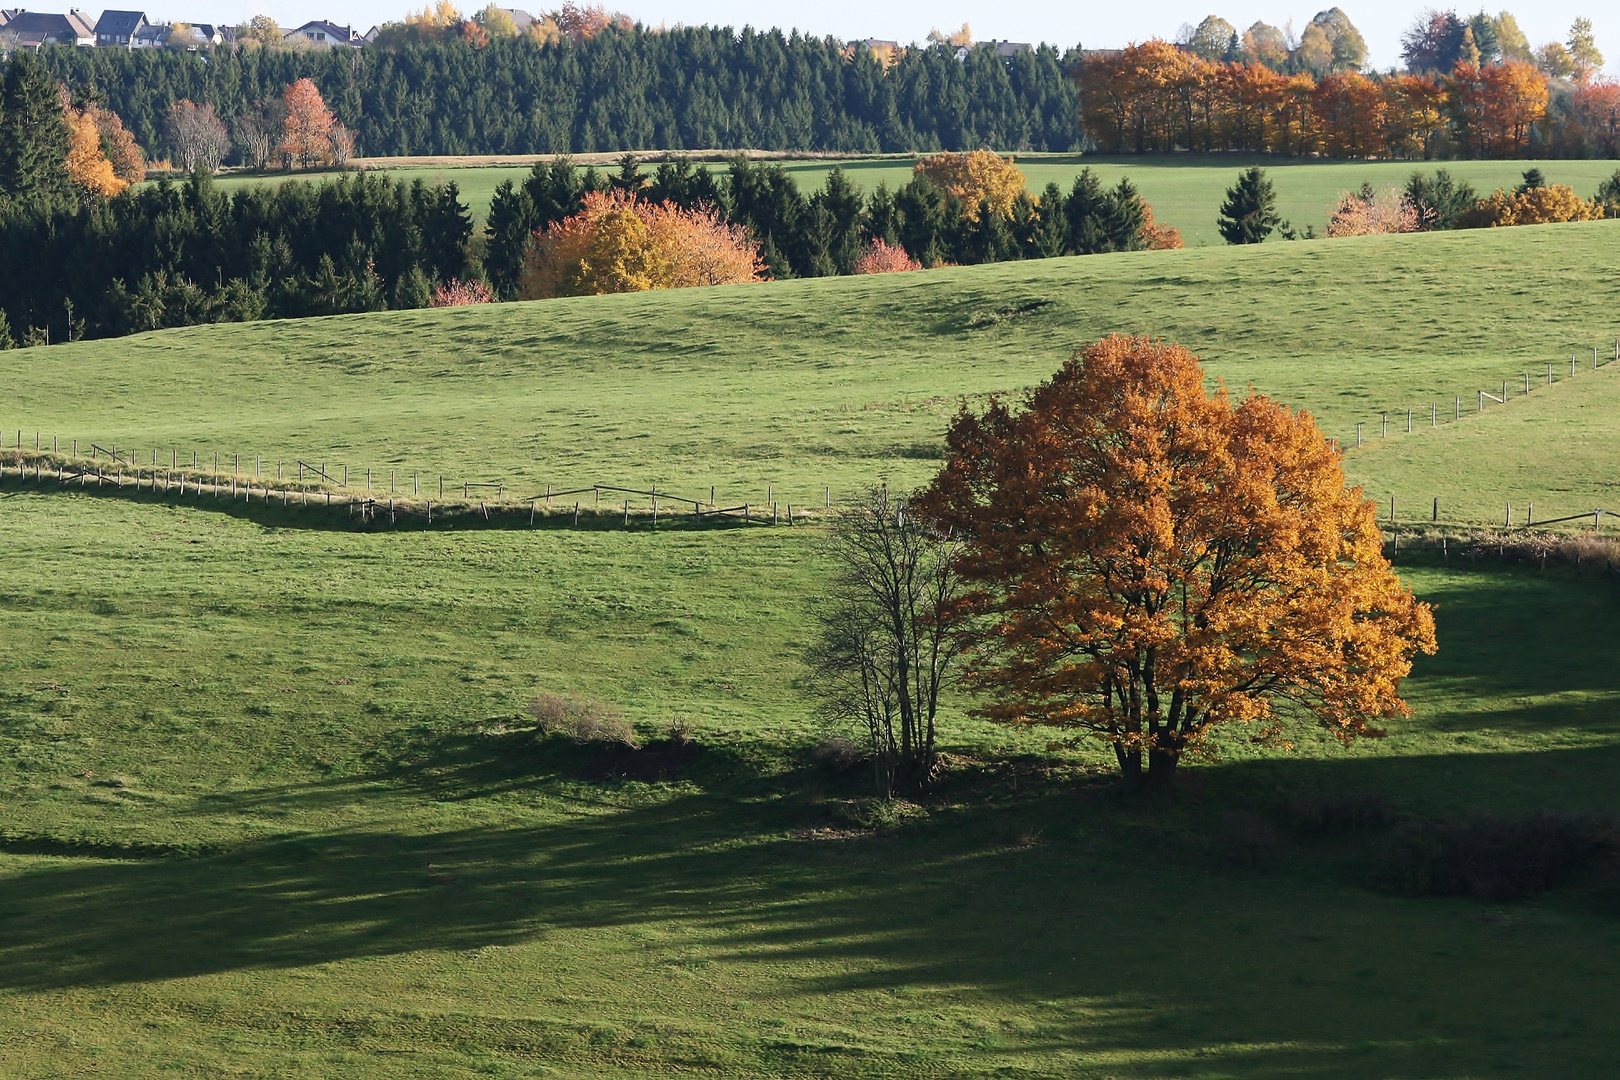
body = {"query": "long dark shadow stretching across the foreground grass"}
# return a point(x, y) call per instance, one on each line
point(1107, 917)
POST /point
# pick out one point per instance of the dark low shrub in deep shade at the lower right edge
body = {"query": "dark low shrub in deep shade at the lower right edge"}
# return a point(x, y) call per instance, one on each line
point(1494, 859)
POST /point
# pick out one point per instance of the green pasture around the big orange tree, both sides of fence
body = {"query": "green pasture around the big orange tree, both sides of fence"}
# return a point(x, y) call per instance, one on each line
point(268, 804)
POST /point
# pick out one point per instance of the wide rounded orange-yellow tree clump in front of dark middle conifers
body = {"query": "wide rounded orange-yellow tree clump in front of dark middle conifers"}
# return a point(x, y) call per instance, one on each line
point(620, 244)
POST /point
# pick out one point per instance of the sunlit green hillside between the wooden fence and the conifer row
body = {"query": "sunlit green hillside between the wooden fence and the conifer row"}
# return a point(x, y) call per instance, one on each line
point(838, 381)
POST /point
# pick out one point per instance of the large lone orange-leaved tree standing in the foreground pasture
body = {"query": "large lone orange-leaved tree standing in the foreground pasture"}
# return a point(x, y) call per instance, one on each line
point(1151, 561)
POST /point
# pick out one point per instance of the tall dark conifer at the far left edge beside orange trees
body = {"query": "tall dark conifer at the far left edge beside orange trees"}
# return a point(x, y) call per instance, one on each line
point(35, 137)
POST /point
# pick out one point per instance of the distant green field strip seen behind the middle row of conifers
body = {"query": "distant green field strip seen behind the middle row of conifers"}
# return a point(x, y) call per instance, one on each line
point(1187, 192)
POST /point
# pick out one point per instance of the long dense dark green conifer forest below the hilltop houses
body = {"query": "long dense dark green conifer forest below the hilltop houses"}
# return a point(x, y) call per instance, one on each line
point(684, 88)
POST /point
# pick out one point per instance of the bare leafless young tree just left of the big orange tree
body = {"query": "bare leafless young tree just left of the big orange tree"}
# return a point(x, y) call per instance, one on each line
point(885, 645)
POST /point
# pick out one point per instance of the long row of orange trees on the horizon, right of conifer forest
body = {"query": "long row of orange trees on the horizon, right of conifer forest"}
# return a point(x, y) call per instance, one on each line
point(1157, 98)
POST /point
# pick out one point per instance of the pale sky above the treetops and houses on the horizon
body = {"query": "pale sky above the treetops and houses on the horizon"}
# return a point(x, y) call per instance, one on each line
point(1094, 25)
